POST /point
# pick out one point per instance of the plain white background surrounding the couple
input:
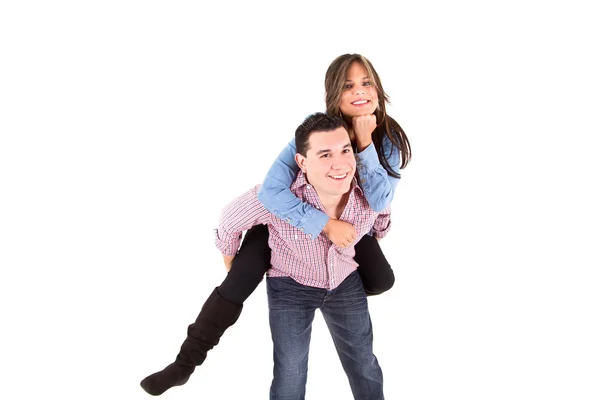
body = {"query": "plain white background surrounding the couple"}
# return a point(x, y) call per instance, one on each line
point(126, 126)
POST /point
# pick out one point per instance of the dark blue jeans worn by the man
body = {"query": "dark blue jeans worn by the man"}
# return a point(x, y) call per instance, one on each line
point(291, 312)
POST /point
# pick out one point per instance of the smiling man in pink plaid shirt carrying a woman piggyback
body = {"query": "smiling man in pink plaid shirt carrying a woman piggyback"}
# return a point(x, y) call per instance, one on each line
point(308, 273)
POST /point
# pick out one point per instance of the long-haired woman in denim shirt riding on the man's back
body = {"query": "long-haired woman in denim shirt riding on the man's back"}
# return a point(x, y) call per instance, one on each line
point(354, 91)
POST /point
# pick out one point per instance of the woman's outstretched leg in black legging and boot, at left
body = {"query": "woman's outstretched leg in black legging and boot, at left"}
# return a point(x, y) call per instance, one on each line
point(219, 312)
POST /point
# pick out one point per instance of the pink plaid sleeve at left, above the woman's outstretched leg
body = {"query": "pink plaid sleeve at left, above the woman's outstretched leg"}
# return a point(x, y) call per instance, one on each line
point(241, 214)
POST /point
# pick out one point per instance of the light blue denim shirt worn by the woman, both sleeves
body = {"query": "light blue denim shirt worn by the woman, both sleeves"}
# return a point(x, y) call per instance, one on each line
point(276, 196)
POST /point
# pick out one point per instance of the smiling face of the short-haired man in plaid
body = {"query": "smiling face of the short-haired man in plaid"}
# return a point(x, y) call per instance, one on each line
point(329, 163)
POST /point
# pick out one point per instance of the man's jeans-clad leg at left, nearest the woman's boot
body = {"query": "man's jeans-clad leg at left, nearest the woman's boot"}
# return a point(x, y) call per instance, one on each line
point(291, 312)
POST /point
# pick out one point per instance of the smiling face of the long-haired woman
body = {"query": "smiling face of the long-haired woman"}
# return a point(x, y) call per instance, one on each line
point(359, 96)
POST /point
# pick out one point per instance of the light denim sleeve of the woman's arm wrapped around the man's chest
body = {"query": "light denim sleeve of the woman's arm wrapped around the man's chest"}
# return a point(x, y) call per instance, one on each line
point(276, 196)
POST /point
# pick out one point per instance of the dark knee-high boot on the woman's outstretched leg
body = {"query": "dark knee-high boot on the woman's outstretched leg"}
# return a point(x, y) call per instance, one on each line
point(216, 316)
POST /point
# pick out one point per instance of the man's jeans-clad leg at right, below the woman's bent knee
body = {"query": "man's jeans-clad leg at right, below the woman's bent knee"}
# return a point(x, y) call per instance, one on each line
point(347, 316)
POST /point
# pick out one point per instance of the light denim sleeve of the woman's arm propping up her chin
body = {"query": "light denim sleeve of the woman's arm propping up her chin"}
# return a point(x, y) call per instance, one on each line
point(377, 185)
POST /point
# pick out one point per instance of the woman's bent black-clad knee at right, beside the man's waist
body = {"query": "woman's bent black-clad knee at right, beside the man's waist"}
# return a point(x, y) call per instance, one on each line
point(373, 268)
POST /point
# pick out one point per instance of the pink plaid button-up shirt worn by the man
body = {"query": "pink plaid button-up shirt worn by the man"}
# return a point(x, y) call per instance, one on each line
point(318, 262)
